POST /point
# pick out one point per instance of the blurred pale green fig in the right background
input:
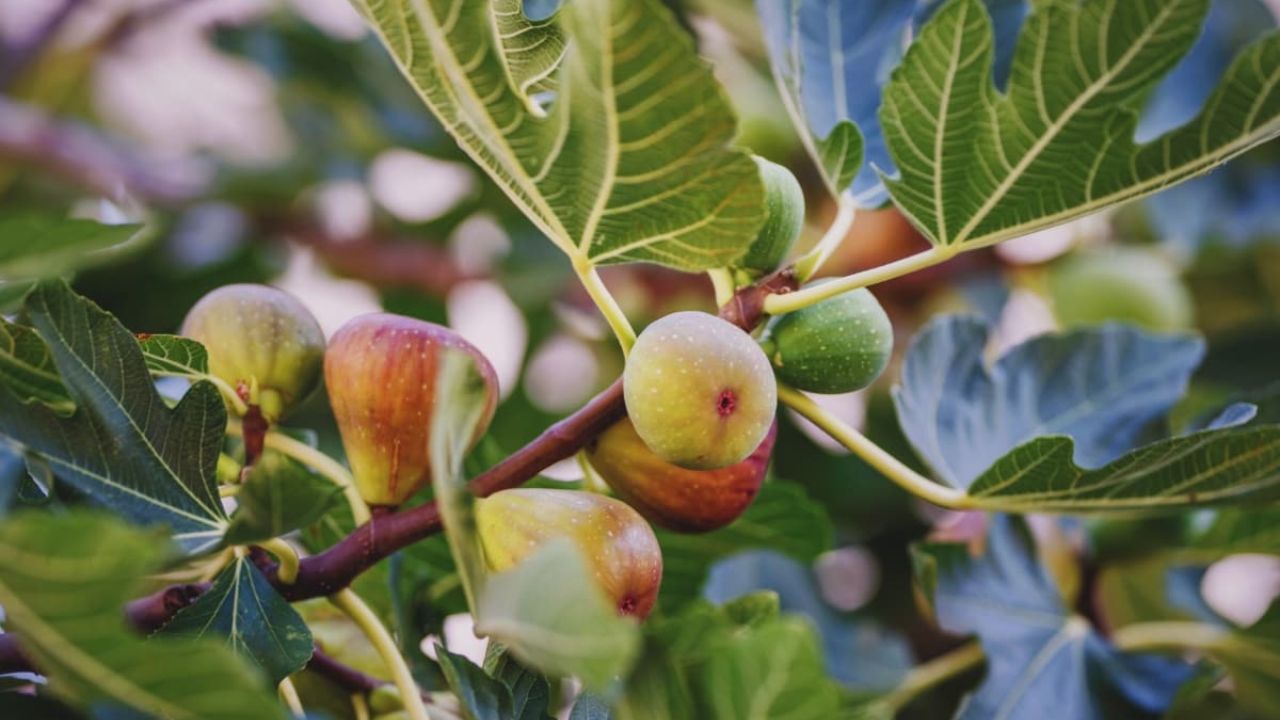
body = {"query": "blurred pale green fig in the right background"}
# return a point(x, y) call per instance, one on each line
point(1127, 285)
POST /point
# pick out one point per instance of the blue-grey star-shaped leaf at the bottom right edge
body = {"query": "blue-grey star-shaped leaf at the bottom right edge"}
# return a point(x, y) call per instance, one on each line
point(1043, 662)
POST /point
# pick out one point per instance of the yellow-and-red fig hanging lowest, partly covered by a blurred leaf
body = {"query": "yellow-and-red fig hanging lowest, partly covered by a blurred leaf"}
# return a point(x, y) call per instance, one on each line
point(616, 543)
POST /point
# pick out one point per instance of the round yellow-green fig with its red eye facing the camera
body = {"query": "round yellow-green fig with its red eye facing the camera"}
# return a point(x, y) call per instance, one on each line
point(700, 391)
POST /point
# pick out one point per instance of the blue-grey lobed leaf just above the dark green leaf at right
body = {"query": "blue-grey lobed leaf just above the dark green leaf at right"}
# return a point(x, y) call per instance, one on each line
point(1100, 386)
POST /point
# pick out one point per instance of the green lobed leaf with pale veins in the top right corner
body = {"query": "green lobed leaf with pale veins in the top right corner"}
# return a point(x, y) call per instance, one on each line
point(977, 166)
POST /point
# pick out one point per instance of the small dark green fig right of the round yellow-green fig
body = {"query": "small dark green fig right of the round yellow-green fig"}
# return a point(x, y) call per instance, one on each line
point(839, 345)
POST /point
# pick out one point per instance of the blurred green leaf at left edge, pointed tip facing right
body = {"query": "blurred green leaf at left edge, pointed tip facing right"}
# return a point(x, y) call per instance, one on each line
point(42, 247)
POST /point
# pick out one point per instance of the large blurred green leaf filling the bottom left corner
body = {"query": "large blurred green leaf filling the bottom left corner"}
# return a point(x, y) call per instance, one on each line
point(65, 581)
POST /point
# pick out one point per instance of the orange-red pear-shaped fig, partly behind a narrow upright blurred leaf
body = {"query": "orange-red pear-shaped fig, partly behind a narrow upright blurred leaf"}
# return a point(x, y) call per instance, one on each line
point(381, 372)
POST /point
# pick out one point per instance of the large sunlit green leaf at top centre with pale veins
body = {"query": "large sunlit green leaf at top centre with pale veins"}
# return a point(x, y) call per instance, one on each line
point(629, 163)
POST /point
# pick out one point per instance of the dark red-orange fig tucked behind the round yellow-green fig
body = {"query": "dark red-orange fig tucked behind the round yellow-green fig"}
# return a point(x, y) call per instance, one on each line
point(687, 502)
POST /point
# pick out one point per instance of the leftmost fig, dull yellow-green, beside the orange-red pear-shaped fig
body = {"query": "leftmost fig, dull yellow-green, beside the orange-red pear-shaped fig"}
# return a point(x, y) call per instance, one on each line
point(259, 339)
